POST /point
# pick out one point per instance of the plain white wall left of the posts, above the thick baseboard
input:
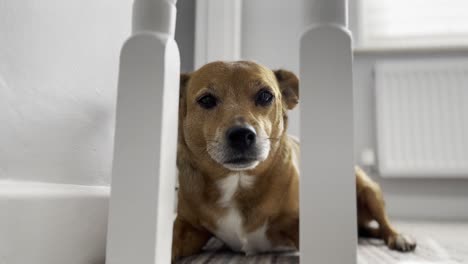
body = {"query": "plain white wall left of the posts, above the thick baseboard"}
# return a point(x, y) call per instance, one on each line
point(58, 75)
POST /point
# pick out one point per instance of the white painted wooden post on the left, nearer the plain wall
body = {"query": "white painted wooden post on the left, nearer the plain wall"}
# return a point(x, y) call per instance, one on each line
point(144, 168)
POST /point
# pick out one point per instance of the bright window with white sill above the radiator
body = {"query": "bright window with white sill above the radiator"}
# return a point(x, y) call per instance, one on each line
point(413, 23)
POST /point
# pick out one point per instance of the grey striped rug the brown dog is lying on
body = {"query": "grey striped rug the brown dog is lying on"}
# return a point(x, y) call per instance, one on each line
point(438, 243)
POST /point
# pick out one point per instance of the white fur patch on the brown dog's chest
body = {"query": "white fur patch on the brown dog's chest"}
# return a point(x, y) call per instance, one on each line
point(230, 227)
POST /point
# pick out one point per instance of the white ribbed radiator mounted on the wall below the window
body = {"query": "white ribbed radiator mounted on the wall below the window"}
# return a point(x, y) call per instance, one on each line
point(422, 118)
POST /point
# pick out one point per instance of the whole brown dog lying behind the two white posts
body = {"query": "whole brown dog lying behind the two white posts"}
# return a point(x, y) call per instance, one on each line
point(238, 168)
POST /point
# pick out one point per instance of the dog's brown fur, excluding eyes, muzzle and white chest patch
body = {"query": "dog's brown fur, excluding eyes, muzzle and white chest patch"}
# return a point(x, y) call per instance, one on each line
point(273, 198)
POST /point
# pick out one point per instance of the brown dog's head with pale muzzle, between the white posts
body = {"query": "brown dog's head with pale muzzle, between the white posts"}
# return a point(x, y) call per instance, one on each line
point(233, 114)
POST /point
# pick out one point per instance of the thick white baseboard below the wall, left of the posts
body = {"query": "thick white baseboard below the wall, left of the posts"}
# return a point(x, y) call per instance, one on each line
point(46, 223)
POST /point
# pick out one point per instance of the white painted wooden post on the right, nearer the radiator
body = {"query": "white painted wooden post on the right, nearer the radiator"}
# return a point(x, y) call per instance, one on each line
point(328, 229)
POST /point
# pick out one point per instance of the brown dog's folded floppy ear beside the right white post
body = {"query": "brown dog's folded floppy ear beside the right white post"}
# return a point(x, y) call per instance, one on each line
point(289, 86)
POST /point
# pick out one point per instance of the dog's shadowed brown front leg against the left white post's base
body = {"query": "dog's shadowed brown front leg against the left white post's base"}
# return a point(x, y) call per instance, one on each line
point(187, 240)
